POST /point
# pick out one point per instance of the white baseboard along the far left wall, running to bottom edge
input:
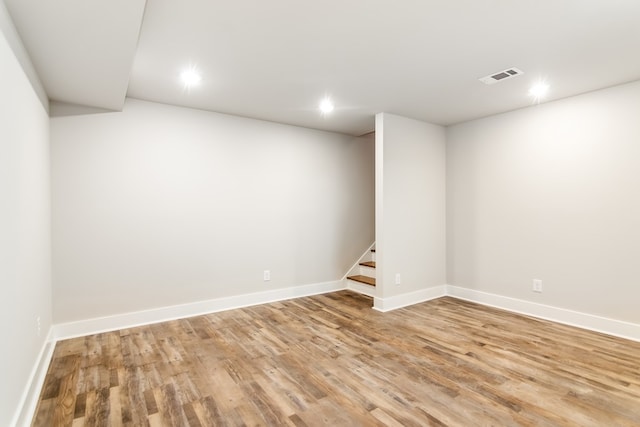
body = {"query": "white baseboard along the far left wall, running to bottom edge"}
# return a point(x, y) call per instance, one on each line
point(29, 400)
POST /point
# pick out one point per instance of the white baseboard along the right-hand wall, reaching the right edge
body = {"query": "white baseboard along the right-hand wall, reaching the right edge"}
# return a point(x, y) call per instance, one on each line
point(591, 322)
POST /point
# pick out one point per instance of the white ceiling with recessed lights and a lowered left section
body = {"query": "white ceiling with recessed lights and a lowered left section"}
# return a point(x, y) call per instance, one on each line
point(275, 60)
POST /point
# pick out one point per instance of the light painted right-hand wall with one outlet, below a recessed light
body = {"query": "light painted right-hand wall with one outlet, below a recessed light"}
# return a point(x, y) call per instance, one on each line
point(550, 192)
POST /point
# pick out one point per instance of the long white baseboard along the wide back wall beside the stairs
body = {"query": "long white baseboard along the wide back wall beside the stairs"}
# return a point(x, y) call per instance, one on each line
point(163, 314)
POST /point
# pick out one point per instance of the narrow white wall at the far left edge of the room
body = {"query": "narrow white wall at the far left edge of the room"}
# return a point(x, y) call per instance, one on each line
point(25, 246)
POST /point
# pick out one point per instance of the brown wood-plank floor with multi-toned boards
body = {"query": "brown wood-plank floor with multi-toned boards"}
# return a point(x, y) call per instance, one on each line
point(332, 360)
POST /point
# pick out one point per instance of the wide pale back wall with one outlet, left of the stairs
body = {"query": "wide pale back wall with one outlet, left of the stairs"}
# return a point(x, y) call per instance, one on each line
point(159, 205)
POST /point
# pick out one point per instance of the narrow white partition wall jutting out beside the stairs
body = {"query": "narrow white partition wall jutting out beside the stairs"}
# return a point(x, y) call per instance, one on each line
point(410, 206)
